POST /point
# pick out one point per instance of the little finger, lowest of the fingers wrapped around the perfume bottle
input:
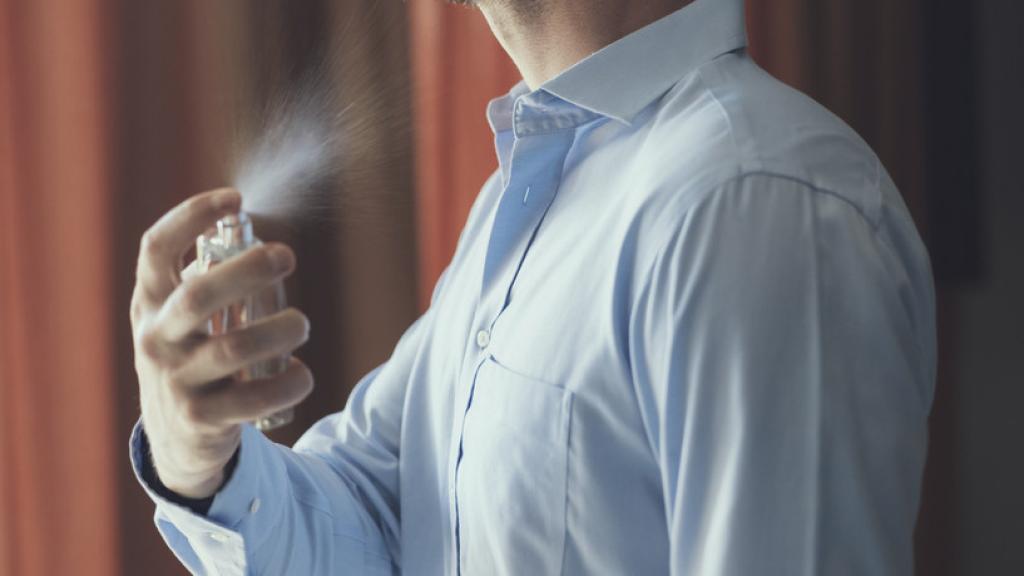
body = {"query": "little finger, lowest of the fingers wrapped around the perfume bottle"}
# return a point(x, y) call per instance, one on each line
point(238, 402)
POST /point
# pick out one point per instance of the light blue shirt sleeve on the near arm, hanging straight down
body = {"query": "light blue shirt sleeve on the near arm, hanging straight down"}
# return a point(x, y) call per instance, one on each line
point(785, 382)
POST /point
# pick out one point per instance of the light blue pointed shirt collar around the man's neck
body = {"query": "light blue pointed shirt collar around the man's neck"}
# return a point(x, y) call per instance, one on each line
point(623, 78)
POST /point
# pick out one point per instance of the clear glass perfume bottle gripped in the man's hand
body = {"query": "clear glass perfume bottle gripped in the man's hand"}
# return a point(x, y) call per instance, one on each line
point(233, 236)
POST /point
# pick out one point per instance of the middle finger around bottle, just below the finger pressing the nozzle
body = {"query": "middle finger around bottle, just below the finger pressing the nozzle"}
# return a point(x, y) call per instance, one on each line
point(199, 298)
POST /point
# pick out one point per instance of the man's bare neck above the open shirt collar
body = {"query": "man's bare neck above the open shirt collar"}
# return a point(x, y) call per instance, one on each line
point(546, 37)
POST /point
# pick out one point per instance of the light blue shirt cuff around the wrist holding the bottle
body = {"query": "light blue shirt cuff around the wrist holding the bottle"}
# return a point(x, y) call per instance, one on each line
point(243, 514)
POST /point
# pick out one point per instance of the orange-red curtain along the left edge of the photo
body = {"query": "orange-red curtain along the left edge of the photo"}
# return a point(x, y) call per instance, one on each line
point(59, 512)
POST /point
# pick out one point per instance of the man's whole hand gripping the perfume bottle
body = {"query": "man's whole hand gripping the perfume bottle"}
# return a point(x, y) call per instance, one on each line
point(192, 407)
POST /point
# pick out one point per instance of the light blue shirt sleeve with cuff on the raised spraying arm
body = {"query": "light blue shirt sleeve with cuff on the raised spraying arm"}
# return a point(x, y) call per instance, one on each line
point(330, 506)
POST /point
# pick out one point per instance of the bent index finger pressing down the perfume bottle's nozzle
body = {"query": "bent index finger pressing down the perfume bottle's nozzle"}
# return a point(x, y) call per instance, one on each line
point(164, 243)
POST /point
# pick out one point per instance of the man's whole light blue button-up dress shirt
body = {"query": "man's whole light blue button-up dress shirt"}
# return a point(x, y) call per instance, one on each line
point(689, 330)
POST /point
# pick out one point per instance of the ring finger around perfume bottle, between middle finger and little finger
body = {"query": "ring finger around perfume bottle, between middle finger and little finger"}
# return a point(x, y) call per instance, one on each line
point(220, 357)
